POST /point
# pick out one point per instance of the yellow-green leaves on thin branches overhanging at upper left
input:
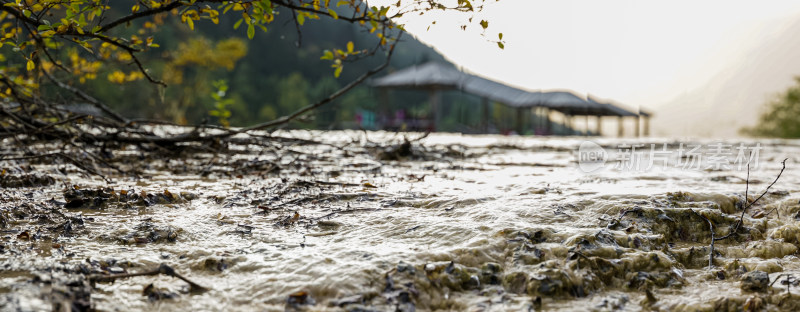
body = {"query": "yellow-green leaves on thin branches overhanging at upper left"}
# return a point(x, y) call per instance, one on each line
point(92, 32)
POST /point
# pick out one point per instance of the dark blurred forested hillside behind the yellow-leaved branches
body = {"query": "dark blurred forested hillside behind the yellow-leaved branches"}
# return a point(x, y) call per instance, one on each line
point(272, 75)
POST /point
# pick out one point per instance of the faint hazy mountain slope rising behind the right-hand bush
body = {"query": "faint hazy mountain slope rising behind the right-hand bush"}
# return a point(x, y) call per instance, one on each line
point(735, 97)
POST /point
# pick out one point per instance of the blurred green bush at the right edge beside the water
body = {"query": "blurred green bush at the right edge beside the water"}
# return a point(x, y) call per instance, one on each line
point(781, 116)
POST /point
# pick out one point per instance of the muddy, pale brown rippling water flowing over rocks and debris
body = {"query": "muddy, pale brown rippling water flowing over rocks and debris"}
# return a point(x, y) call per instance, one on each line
point(462, 223)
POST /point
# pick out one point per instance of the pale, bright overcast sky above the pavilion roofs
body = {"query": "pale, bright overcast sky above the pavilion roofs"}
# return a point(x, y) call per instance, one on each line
point(635, 52)
